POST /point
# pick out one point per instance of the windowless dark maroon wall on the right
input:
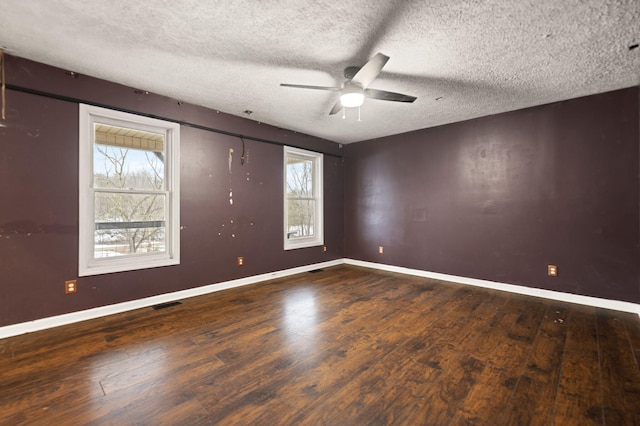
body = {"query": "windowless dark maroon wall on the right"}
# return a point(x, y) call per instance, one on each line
point(501, 197)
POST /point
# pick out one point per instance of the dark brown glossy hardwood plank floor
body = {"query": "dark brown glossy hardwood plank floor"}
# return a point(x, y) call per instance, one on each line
point(343, 346)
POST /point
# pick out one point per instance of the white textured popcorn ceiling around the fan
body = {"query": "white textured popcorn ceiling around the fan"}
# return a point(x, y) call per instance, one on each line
point(462, 59)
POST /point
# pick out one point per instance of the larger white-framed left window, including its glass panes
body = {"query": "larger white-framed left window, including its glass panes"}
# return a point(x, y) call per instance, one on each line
point(129, 192)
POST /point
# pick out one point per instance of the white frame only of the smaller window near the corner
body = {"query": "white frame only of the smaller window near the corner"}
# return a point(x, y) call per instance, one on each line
point(318, 194)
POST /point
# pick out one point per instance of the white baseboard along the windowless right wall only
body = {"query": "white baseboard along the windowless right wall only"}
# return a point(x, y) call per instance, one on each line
point(529, 291)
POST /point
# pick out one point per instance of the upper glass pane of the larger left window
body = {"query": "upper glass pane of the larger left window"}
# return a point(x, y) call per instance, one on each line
point(118, 167)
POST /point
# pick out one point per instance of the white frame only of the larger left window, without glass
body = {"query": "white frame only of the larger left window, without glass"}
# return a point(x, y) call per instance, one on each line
point(87, 263)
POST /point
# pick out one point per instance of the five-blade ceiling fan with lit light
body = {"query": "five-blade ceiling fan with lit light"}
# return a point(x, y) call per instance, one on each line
point(356, 86)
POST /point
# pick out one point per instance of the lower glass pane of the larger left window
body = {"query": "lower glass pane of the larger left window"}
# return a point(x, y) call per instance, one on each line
point(129, 224)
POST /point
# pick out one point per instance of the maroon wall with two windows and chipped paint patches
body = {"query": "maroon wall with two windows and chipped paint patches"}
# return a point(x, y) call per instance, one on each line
point(39, 198)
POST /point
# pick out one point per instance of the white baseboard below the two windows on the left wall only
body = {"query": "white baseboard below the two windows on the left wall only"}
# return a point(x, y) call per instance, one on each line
point(58, 320)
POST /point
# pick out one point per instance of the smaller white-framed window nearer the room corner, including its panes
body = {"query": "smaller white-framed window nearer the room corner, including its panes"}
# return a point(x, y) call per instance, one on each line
point(303, 222)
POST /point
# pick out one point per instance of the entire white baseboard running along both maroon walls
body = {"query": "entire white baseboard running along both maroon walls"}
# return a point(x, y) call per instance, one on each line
point(55, 321)
